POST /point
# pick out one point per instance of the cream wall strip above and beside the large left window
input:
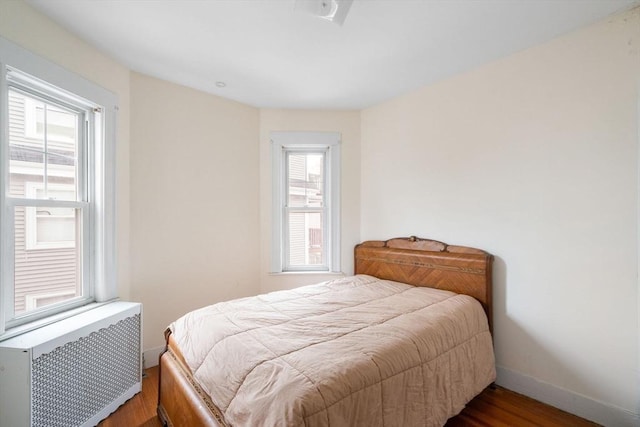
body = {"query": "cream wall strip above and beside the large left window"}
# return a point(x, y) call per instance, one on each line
point(23, 25)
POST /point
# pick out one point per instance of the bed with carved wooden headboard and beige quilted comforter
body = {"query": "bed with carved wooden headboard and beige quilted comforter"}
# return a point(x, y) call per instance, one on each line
point(405, 341)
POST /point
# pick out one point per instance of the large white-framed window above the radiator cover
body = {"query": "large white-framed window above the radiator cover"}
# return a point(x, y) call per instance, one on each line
point(56, 192)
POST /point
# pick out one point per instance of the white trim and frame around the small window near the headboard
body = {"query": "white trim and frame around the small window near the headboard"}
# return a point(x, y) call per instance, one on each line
point(281, 141)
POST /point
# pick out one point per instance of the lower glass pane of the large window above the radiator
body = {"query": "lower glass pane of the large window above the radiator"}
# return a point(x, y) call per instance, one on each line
point(47, 256)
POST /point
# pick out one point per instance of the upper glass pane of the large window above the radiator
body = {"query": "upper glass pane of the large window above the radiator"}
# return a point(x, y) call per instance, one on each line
point(43, 143)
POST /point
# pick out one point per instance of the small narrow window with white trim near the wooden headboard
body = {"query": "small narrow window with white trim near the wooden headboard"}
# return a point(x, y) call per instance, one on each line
point(306, 196)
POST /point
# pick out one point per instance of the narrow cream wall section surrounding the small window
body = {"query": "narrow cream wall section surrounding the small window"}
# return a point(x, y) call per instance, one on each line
point(348, 124)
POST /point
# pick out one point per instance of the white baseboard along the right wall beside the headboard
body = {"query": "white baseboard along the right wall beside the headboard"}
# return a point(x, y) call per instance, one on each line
point(583, 406)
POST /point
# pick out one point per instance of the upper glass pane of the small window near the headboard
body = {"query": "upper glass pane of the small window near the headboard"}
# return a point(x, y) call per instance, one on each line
point(305, 179)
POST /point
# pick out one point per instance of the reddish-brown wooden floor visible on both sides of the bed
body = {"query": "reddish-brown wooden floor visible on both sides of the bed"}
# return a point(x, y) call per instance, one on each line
point(493, 408)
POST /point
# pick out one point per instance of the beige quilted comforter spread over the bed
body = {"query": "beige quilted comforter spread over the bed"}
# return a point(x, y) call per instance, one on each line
point(357, 351)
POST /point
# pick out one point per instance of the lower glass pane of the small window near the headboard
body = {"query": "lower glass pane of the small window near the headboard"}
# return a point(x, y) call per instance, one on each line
point(305, 239)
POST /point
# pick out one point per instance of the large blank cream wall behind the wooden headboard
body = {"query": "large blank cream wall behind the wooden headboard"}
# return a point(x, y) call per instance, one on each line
point(535, 159)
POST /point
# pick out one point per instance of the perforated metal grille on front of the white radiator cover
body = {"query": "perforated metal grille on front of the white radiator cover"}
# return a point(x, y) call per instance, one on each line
point(75, 381)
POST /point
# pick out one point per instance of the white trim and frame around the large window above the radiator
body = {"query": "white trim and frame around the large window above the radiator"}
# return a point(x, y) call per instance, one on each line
point(103, 272)
